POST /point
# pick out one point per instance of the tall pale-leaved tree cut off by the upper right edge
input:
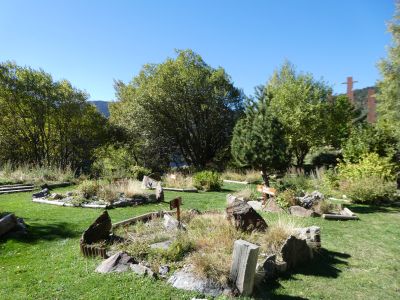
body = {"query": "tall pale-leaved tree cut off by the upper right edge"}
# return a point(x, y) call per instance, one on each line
point(388, 97)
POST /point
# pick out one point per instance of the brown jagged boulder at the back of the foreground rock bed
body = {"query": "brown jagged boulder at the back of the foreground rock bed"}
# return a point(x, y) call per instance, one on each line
point(245, 217)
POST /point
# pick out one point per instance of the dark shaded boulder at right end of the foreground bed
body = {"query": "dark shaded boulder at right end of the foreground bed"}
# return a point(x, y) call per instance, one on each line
point(295, 252)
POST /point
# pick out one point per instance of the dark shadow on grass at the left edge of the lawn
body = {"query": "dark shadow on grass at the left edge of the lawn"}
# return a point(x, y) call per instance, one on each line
point(46, 232)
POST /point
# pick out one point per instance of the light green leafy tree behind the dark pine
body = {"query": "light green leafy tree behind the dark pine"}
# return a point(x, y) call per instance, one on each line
point(302, 106)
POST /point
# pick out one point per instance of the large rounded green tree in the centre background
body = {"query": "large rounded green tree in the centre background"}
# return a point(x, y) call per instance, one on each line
point(181, 106)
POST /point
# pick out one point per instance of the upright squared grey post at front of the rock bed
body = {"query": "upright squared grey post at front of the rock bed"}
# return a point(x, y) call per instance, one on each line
point(243, 267)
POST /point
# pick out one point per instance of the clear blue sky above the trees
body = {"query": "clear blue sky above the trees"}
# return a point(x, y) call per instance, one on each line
point(90, 43)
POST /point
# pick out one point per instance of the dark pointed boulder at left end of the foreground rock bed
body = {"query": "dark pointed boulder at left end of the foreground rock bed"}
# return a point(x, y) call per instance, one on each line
point(100, 230)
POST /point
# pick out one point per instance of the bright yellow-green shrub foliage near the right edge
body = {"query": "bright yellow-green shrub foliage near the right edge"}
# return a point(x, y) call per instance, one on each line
point(370, 165)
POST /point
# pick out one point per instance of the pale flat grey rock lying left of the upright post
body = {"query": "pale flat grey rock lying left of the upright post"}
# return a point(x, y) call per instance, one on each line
point(185, 279)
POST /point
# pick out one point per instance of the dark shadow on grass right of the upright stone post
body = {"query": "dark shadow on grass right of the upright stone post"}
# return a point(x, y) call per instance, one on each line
point(324, 264)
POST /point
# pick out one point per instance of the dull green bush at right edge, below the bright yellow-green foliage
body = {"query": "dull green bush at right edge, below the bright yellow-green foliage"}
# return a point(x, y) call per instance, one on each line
point(369, 190)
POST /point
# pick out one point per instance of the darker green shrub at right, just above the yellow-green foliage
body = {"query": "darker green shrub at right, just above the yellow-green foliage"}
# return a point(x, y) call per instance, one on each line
point(366, 138)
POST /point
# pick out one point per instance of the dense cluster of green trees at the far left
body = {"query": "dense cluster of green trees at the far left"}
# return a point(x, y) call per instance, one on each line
point(46, 122)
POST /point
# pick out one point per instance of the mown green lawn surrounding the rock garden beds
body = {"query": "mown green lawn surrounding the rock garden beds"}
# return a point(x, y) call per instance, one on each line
point(360, 259)
